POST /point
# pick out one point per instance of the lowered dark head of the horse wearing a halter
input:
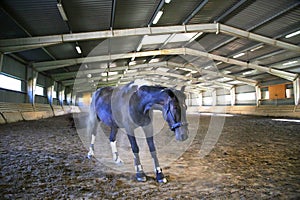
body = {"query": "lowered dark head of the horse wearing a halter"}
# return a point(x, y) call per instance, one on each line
point(174, 112)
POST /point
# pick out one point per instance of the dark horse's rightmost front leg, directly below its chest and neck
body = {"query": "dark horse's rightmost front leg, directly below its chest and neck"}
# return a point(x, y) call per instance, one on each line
point(157, 169)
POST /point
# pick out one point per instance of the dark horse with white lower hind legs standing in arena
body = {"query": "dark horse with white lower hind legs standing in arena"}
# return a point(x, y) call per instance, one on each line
point(131, 106)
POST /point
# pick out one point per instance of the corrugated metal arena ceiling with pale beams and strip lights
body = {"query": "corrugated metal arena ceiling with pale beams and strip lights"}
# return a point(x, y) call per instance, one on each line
point(200, 44)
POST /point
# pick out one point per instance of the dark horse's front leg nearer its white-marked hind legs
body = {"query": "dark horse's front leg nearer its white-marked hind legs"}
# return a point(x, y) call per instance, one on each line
point(140, 175)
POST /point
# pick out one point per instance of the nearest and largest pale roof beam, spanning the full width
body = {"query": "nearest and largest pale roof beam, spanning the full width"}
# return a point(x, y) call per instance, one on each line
point(18, 44)
